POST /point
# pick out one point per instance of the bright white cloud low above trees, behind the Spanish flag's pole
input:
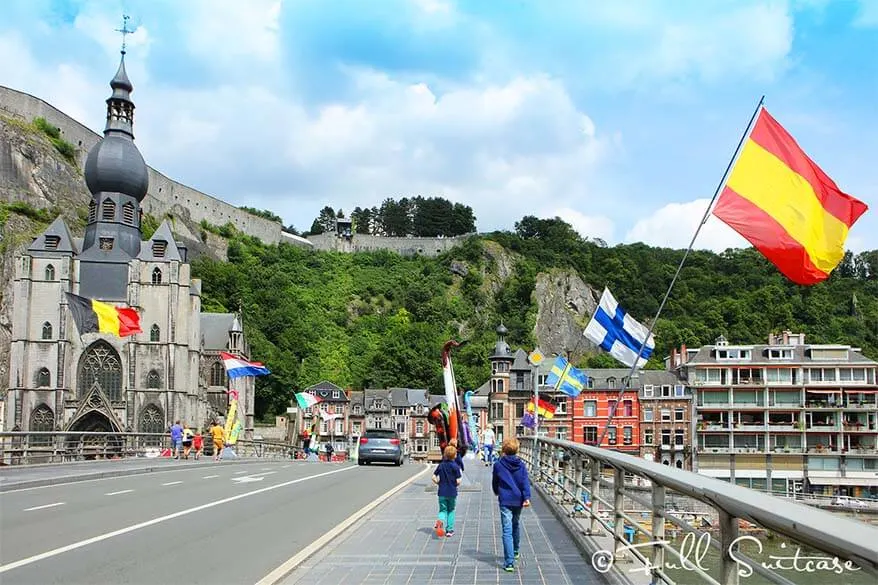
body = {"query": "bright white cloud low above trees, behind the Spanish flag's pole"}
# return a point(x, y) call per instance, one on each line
point(673, 225)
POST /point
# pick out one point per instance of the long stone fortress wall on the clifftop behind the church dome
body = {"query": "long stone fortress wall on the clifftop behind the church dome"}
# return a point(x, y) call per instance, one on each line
point(164, 194)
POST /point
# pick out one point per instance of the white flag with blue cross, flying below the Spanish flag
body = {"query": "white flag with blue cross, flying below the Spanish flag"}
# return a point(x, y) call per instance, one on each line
point(617, 333)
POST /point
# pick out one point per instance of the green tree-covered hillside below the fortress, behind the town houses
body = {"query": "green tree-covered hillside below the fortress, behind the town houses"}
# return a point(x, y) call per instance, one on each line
point(379, 320)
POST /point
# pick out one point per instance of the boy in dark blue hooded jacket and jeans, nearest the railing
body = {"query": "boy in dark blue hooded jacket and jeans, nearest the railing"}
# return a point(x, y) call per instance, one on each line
point(511, 485)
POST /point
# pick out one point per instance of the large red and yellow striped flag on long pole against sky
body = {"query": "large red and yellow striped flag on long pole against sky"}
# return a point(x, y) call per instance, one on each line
point(786, 206)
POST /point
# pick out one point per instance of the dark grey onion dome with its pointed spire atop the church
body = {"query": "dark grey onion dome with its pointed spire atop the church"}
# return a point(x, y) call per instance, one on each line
point(114, 165)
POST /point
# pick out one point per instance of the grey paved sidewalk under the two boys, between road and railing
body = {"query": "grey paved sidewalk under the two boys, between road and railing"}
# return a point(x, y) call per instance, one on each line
point(395, 544)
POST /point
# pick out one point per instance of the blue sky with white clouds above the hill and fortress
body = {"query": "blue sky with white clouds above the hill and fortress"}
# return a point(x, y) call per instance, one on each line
point(618, 117)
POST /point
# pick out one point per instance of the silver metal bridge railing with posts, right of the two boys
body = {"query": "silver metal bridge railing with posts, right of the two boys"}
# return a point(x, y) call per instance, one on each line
point(573, 476)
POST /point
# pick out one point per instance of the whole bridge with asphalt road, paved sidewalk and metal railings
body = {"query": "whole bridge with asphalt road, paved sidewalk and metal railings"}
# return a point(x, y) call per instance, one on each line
point(265, 518)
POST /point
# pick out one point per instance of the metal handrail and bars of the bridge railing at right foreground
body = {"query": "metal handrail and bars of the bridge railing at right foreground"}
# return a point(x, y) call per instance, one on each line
point(848, 540)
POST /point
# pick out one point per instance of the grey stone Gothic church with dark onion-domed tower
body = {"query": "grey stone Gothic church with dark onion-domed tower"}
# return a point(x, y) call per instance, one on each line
point(61, 381)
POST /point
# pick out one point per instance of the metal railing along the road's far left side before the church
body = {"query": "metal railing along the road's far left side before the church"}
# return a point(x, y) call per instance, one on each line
point(23, 448)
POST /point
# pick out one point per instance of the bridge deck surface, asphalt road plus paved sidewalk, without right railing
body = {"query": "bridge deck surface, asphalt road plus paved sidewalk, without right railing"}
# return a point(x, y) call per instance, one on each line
point(259, 522)
